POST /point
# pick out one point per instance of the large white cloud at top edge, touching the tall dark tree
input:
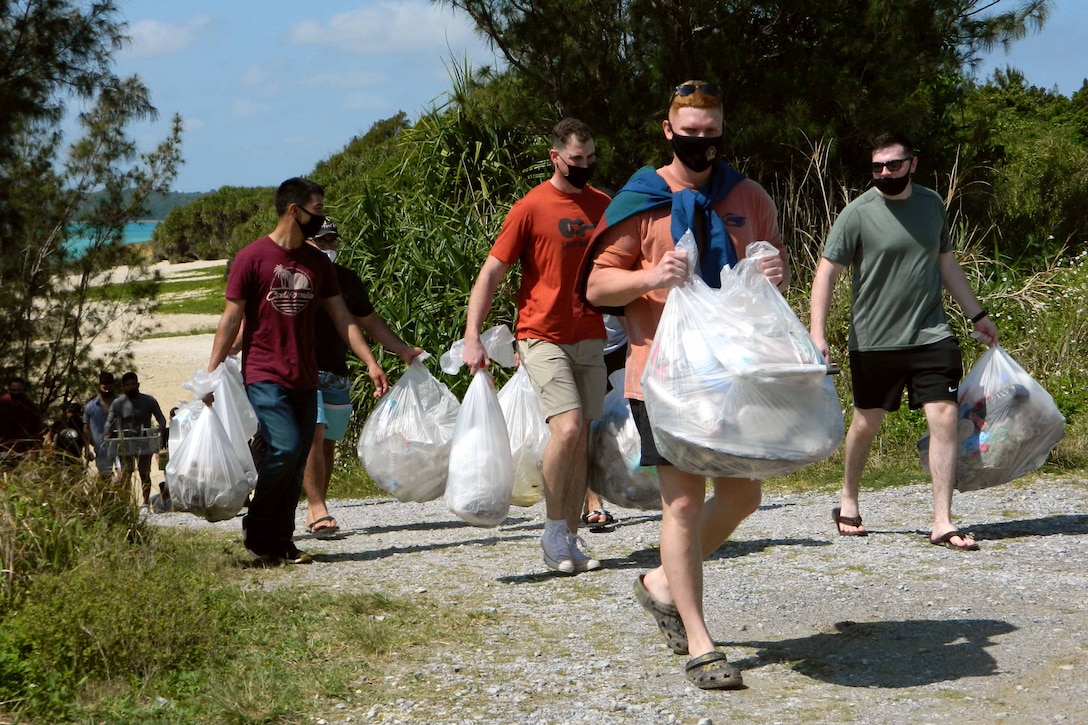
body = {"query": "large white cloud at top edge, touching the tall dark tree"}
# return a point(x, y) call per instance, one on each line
point(389, 28)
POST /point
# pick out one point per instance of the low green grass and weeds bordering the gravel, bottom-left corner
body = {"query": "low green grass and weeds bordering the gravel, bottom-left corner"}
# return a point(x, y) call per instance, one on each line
point(182, 621)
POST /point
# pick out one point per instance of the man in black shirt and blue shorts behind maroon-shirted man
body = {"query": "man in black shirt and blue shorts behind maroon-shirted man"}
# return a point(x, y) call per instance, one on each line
point(335, 401)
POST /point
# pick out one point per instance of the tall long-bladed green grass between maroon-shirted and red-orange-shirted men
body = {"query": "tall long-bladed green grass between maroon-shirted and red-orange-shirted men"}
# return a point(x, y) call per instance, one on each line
point(428, 219)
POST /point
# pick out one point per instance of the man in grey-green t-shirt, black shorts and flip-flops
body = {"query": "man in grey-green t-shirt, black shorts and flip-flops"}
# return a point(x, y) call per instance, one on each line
point(896, 239)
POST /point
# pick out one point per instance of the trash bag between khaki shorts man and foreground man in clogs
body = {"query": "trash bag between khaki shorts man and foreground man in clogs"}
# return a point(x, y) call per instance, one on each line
point(615, 472)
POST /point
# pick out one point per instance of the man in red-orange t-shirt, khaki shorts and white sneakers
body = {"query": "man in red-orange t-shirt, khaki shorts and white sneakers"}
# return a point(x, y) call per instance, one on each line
point(548, 231)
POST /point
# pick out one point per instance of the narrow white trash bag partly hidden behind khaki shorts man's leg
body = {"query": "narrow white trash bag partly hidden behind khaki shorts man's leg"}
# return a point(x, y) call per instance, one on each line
point(529, 436)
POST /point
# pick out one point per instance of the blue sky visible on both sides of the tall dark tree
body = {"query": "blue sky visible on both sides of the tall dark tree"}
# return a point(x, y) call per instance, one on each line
point(267, 89)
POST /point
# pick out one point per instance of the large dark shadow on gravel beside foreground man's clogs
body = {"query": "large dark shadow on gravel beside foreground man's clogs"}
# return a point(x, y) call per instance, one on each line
point(889, 655)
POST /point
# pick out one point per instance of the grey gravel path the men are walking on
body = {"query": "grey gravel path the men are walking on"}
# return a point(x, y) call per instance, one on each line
point(826, 630)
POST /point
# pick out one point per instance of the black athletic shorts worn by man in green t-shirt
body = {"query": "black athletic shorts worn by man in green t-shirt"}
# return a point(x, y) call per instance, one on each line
point(929, 373)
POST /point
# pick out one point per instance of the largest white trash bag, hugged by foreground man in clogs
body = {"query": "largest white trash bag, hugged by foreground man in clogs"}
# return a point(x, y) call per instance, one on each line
point(734, 384)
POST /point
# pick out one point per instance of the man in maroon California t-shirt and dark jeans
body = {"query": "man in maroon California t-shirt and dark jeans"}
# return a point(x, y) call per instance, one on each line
point(276, 286)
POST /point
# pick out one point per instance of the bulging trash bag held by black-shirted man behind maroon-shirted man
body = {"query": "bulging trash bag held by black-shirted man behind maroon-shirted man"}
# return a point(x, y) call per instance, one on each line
point(405, 443)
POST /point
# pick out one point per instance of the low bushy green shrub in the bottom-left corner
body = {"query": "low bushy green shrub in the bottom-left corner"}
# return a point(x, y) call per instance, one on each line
point(125, 612)
